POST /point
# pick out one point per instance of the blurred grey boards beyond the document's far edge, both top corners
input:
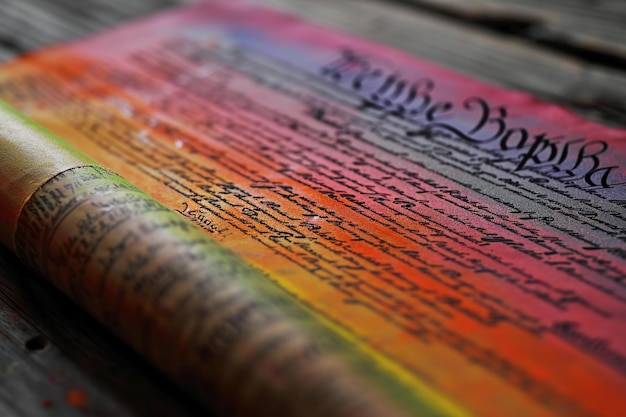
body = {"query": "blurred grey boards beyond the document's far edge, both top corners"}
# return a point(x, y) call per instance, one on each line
point(572, 52)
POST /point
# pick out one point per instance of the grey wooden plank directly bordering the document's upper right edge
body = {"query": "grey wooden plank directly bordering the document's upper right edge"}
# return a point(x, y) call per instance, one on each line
point(592, 90)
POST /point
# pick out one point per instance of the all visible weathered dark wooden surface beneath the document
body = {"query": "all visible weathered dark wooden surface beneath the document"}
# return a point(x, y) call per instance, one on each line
point(56, 361)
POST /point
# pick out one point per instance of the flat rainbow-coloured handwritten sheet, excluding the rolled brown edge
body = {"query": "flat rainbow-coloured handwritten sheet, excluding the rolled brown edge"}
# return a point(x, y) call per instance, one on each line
point(469, 239)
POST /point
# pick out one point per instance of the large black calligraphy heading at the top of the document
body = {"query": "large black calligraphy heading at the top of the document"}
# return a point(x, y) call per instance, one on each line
point(476, 121)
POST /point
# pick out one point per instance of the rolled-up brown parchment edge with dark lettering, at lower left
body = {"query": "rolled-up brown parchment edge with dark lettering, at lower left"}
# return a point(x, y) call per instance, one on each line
point(198, 312)
